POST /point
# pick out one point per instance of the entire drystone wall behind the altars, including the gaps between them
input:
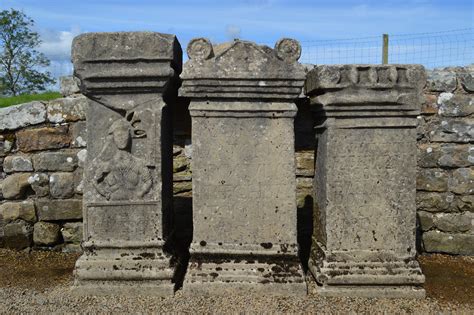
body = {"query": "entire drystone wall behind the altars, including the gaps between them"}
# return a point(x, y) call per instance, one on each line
point(41, 200)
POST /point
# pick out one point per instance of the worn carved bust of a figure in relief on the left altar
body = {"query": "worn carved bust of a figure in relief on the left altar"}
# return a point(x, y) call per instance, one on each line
point(119, 175)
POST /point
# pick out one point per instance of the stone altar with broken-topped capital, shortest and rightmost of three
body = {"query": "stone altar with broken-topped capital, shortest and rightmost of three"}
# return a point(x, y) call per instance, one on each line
point(365, 222)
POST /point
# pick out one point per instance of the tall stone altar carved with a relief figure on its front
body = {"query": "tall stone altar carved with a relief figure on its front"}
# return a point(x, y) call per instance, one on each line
point(130, 79)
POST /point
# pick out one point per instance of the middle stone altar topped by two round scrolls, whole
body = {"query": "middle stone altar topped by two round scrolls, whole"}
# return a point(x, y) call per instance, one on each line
point(244, 200)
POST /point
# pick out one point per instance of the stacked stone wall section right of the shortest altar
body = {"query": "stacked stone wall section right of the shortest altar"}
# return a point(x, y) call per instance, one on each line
point(445, 182)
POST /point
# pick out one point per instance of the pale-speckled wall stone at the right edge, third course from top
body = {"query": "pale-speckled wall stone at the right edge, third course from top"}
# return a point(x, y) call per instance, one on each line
point(453, 130)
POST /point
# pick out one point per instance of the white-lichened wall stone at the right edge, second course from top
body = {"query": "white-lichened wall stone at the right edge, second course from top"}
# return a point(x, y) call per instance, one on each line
point(455, 105)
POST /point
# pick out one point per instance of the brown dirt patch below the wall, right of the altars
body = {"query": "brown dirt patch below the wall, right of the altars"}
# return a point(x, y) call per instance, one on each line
point(449, 278)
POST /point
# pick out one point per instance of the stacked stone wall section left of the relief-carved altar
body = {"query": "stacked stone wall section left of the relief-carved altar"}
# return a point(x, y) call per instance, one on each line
point(42, 146)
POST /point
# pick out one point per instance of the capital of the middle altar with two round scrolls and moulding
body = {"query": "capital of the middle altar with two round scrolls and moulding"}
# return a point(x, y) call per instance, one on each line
point(220, 71)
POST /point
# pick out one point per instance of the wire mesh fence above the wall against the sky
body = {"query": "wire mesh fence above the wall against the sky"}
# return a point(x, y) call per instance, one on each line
point(436, 49)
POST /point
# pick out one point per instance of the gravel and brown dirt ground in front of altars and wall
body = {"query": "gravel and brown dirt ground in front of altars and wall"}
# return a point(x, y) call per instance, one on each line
point(39, 283)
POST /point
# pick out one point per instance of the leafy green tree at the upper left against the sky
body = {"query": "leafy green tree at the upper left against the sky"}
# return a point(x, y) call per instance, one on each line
point(20, 62)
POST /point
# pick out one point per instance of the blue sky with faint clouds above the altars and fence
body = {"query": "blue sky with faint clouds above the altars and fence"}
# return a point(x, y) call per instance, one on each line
point(263, 21)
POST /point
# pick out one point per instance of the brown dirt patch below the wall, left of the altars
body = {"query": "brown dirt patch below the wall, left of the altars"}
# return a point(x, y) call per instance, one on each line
point(38, 269)
